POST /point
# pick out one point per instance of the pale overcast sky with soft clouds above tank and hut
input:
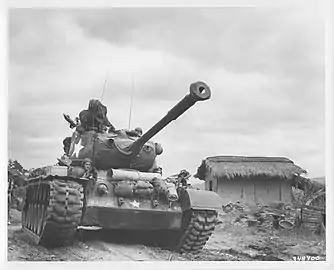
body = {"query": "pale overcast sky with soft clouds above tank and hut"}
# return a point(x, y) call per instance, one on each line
point(265, 67)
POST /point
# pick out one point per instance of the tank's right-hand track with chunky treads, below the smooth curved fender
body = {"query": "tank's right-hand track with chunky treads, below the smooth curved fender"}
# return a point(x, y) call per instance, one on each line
point(200, 225)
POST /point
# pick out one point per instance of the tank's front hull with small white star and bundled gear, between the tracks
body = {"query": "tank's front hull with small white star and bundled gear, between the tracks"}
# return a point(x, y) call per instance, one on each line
point(120, 208)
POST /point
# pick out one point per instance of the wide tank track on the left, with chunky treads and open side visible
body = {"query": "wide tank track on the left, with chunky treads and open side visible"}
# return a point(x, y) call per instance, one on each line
point(52, 211)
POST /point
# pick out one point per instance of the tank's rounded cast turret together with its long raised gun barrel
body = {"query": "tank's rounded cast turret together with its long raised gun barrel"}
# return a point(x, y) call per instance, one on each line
point(123, 149)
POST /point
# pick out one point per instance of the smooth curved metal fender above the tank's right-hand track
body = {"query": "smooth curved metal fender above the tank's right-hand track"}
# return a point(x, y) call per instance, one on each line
point(199, 199)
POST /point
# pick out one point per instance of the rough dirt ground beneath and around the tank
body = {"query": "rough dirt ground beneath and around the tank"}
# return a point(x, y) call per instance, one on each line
point(231, 241)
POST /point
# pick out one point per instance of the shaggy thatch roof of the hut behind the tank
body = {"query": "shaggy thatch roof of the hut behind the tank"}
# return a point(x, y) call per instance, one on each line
point(230, 167)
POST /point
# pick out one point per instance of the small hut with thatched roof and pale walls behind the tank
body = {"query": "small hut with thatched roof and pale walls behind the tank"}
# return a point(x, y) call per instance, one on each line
point(252, 180)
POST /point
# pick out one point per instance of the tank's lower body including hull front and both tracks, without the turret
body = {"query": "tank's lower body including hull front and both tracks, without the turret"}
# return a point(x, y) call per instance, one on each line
point(57, 205)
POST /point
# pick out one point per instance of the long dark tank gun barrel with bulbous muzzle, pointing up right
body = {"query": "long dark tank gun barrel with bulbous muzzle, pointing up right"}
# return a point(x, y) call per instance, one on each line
point(199, 91)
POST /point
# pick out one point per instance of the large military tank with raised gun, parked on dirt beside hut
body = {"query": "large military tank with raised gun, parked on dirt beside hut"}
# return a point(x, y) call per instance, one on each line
point(113, 182)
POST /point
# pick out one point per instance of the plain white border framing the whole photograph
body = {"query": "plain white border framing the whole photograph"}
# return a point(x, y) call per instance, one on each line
point(328, 7)
